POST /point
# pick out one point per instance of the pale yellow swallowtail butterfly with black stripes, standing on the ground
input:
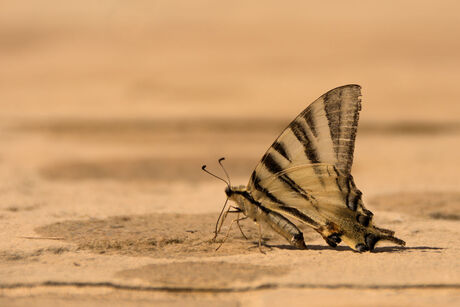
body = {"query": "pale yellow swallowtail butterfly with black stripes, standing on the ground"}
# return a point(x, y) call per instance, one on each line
point(305, 176)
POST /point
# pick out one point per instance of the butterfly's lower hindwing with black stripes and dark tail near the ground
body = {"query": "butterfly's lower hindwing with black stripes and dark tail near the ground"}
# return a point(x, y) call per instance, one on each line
point(320, 196)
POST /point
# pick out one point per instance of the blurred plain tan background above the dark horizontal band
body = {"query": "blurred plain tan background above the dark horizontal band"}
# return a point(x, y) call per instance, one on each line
point(95, 59)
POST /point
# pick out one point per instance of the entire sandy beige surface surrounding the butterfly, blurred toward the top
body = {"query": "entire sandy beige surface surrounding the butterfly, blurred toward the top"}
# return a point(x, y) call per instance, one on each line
point(109, 110)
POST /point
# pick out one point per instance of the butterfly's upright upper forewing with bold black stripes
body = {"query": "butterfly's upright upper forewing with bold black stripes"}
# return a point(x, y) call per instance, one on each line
point(323, 133)
